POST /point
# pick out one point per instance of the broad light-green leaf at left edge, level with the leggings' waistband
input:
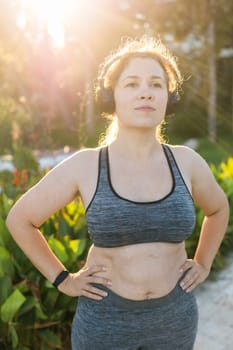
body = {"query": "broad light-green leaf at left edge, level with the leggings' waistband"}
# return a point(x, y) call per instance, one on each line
point(11, 306)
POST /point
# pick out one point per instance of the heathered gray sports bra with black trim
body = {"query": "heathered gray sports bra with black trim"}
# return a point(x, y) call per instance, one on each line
point(114, 221)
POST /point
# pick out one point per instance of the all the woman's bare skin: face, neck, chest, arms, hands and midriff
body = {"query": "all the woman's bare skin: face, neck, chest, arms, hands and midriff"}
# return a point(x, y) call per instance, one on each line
point(137, 271)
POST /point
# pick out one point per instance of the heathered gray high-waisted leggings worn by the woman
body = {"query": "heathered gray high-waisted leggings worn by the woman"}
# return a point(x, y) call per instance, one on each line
point(116, 323)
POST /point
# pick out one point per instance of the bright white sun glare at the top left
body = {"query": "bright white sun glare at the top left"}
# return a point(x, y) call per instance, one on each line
point(53, 14)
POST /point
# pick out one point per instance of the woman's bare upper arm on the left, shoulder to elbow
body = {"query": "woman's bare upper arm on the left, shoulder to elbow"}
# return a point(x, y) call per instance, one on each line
point(56, 189)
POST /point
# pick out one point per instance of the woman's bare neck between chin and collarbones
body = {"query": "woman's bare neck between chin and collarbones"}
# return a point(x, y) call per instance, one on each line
point(136, 142)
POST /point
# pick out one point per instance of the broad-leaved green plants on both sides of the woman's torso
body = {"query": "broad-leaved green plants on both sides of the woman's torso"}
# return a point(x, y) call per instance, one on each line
point(33, 314)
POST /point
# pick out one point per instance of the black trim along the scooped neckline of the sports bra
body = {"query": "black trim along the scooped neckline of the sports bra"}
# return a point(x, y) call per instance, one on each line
point(140, 202)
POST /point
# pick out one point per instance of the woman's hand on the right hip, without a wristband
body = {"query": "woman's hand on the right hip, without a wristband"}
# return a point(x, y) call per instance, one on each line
point(196, 274)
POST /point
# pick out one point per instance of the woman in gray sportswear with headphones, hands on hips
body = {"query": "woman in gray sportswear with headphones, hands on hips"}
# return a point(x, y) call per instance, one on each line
point(136, 288)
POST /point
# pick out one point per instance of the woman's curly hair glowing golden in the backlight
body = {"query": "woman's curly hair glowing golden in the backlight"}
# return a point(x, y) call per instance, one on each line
point(114, 64)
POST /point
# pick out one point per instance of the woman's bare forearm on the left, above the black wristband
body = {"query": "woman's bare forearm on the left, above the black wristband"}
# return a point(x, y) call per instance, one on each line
point(36, 248)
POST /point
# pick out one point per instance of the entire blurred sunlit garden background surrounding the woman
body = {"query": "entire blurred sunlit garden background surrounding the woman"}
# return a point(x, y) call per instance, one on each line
point(50, 51)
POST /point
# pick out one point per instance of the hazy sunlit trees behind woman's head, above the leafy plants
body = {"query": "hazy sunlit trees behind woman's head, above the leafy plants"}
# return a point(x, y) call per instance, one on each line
point(49, 57)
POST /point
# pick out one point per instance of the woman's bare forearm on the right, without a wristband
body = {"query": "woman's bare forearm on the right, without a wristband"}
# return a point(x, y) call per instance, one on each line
point(211, 236)
